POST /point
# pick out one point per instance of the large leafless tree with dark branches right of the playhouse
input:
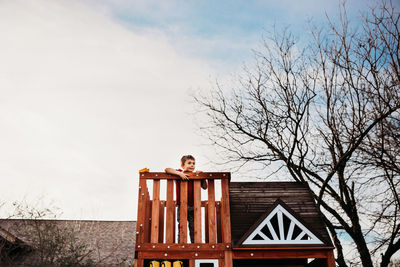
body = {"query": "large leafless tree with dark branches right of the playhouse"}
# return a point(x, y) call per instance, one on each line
point(328, 114)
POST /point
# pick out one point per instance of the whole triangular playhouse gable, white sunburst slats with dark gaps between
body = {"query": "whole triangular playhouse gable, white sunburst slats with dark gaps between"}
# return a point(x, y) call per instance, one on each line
point(280, 227)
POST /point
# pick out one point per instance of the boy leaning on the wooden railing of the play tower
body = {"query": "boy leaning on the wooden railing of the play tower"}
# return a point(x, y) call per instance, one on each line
point(188, 165)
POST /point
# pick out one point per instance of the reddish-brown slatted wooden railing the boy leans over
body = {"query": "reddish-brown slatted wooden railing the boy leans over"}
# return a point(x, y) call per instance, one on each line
point(156, 211)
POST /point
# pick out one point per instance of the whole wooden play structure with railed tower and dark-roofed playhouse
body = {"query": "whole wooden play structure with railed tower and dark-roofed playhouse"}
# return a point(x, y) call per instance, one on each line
point(235, 224)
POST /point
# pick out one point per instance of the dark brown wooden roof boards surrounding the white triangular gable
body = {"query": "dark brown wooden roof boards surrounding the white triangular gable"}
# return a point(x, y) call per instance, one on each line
point(250, 201)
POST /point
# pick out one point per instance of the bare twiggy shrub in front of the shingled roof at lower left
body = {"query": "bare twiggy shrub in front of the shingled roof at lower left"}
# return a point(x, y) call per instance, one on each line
point(50, 244)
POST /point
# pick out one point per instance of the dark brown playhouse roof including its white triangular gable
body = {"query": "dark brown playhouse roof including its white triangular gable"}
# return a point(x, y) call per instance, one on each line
point(253, 204)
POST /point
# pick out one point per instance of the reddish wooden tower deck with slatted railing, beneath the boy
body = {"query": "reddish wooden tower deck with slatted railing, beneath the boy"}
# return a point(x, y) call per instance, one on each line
point(156, 225)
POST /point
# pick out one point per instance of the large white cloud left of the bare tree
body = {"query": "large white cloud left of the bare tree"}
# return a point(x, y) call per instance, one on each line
point(85, 103)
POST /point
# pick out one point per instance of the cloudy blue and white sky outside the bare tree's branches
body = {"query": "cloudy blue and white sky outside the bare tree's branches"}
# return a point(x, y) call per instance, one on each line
point(92, 91)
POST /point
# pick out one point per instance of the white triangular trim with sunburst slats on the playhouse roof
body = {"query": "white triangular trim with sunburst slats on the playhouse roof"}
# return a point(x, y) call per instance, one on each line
point(279, 238)
